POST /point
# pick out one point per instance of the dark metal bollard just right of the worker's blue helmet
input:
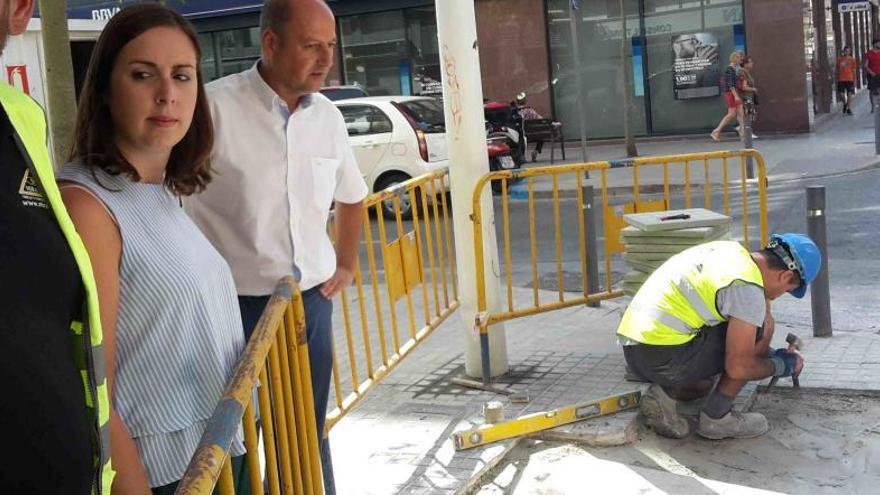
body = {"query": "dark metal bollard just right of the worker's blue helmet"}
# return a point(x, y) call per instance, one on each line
point(819, 290)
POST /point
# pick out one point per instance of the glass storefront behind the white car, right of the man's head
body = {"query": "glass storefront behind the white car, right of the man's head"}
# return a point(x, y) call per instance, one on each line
point(393, 52)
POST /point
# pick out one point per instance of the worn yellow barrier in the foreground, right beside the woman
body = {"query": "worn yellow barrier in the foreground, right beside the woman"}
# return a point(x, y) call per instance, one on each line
point(276, 358)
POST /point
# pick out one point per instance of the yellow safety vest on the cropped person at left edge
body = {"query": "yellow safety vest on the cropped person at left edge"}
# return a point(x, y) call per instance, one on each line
point(29, 123)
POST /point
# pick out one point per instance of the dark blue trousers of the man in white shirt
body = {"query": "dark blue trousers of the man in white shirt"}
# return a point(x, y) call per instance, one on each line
point(319, 332)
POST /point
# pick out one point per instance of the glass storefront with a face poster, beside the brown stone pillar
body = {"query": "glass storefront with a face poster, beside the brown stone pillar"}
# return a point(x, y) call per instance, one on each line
point(674, 51)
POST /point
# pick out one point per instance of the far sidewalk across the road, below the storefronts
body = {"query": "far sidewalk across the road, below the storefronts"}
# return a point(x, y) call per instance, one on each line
point(838, 143)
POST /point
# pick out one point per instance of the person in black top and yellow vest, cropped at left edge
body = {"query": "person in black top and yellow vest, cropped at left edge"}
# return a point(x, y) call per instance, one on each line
point(55, 395)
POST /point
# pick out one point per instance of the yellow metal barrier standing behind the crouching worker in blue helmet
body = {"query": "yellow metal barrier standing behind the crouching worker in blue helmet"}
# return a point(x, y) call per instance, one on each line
point(715, 180)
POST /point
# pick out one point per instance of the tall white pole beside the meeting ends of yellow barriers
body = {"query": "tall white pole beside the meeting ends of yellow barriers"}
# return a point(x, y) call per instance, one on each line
point(468, 161)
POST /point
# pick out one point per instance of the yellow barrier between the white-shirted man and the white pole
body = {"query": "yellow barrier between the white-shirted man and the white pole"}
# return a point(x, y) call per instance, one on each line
point(410, 291)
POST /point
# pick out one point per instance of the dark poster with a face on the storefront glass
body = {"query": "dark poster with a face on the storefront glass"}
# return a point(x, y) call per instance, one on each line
point(695, 68)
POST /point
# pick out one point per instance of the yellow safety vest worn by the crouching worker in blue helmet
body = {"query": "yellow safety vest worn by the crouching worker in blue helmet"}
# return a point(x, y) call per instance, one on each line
point(678, 299)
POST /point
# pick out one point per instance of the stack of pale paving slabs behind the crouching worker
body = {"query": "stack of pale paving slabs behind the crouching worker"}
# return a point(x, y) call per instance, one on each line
point(654, 237)
